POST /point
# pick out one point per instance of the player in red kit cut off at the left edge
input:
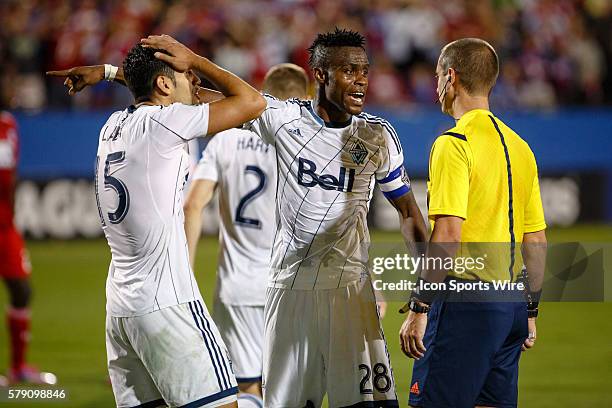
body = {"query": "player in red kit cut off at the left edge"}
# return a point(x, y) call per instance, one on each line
point(14, 263)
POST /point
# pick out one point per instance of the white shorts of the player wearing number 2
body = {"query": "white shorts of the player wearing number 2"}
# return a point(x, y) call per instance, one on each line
point(242, 330)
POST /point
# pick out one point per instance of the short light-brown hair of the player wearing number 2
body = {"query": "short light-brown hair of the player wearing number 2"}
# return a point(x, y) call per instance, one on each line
point(285, 81)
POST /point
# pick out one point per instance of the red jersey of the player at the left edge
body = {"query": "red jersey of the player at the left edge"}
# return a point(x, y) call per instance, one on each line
point(9, 153)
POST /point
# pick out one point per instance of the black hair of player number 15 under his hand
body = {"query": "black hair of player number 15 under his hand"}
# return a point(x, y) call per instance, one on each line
point(141, 69)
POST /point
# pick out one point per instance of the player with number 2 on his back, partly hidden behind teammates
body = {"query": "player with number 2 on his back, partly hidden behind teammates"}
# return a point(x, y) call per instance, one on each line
point(244, 169)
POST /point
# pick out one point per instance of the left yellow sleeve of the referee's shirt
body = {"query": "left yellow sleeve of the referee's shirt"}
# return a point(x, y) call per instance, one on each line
point(449, 177)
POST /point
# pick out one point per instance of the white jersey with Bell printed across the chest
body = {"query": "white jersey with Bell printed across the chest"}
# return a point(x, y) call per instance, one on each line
point(326, 173)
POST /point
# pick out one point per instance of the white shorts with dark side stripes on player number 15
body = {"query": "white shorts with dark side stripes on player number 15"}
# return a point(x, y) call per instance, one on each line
point(172, 356)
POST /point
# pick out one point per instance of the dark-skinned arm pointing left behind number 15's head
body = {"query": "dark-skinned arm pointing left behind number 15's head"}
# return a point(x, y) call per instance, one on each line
point(78, 78)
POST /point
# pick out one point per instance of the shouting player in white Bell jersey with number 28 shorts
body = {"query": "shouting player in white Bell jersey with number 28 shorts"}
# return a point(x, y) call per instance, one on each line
point(322, 330)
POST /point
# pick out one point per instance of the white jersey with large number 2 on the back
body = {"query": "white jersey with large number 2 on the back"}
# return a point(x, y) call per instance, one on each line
point(245, 169)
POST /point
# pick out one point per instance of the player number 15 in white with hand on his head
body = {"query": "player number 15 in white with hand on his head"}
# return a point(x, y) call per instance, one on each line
point(162, 346)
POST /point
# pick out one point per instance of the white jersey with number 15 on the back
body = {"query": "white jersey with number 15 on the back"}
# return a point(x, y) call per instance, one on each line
point(141, 168)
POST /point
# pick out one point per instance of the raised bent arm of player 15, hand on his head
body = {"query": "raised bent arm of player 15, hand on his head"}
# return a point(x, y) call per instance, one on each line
point(242, 102)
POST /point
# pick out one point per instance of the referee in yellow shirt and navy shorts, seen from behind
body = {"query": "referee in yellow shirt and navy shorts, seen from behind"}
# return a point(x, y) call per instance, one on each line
point(483, 188)
